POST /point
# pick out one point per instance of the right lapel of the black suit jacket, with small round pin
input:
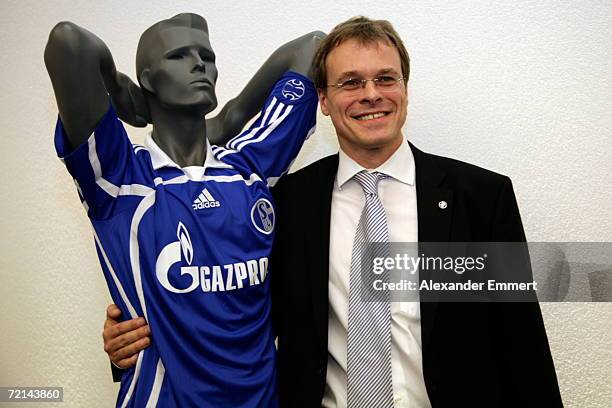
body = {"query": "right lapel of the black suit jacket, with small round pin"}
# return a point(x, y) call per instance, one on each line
point(433, 221)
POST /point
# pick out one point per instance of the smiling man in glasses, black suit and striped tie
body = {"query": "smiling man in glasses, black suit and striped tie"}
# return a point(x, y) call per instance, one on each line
point(334, 349)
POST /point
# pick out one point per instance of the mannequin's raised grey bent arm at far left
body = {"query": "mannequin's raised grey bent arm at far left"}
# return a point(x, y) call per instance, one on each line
point(83, 74)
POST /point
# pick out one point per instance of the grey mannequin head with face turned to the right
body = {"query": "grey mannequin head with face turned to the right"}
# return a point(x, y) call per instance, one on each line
point(175, 64)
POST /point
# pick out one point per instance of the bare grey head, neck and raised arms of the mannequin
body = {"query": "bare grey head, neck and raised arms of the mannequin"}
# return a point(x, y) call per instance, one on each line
point(85, 79)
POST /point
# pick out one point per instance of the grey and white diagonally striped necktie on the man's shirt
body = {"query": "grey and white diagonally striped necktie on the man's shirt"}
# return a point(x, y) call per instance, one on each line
point(369, 381)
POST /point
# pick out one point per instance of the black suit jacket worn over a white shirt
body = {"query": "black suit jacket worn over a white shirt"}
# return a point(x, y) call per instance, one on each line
point(474, 354)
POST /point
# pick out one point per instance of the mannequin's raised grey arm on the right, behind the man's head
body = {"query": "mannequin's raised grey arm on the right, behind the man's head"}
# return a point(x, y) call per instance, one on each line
point(295, 55)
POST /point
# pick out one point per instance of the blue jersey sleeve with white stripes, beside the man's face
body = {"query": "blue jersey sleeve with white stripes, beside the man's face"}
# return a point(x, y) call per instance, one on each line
point(269, 146)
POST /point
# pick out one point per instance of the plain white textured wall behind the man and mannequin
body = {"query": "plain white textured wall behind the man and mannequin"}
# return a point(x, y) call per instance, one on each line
point(523, 88)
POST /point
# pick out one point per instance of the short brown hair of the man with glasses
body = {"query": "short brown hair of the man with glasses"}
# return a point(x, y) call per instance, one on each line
point(366, 31)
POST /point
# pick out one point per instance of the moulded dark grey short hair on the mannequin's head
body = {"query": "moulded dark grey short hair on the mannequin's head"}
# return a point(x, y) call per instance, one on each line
point(152, 36)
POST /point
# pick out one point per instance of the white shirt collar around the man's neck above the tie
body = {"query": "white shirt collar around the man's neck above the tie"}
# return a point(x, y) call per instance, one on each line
point(400, 166)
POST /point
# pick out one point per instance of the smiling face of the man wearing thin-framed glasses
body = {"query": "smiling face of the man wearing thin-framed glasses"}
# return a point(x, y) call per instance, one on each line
point(368, 114)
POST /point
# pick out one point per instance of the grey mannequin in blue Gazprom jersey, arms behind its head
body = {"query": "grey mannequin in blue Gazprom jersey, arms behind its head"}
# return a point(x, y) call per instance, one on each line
point(186, 250)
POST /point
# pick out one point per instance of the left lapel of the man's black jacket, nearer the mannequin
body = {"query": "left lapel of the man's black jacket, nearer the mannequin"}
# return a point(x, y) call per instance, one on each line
point(322, 188)
